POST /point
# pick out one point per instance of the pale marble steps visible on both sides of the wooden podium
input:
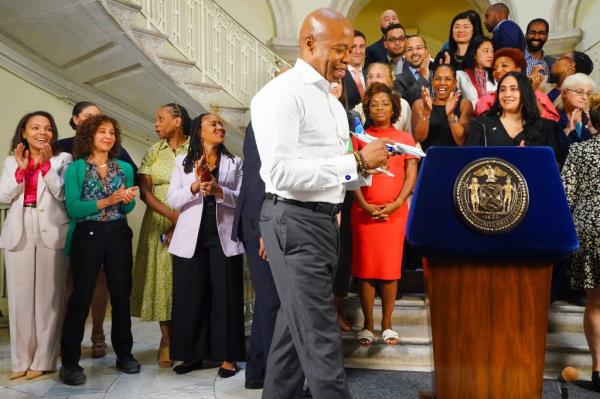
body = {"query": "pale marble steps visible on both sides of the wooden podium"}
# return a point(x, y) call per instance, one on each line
point(565, 345)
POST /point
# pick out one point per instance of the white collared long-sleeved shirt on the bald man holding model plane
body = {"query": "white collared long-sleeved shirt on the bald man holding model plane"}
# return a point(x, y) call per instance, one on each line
point(302, 137)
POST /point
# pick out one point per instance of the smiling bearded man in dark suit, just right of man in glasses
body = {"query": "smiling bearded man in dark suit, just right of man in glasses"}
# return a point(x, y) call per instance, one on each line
point(418, 73)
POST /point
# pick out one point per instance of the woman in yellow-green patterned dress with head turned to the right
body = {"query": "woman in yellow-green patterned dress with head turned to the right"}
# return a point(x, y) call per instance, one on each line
point(152, 274)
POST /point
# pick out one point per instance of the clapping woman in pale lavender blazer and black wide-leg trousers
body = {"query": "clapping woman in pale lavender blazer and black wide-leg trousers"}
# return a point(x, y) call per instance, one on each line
point(207, 317)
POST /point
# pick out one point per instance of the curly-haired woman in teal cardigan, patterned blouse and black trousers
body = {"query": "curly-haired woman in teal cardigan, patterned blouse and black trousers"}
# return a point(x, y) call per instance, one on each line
point(99, 193)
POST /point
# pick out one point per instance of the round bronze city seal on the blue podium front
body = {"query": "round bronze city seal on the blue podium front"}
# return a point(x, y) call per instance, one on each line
point(491, 196)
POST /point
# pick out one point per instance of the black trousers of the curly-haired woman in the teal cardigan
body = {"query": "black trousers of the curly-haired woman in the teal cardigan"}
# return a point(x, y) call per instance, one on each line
point(95, 244)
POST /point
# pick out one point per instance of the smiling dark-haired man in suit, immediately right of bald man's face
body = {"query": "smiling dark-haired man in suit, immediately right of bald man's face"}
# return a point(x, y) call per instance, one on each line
point(354, 79)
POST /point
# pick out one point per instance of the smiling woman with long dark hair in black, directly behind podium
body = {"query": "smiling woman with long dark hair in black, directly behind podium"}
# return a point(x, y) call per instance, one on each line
point(514, 119)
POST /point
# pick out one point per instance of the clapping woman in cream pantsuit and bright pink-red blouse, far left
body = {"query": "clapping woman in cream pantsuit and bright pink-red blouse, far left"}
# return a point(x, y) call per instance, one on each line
point(33, 237)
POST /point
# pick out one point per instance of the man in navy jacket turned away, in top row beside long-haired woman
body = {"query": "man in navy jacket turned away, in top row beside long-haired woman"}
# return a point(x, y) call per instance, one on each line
point(505, 33)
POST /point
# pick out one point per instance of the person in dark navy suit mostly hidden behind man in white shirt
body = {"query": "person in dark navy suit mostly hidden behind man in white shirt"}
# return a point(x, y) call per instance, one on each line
point(245, 229)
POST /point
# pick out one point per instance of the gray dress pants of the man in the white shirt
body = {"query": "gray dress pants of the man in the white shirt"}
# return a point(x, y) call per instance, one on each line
point(302, 246)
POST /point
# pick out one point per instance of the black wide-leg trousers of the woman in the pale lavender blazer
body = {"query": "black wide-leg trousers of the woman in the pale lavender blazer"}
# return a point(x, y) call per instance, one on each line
point(207, 317)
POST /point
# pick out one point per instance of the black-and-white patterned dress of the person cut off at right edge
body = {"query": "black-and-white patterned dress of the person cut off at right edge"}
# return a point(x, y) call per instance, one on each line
point(581, 178)
